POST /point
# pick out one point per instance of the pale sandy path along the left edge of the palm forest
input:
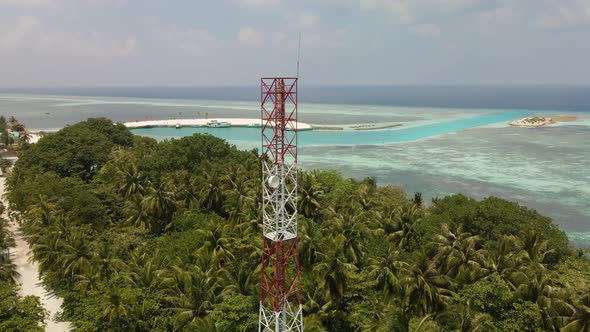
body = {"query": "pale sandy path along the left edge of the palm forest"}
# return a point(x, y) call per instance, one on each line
point(29, 276)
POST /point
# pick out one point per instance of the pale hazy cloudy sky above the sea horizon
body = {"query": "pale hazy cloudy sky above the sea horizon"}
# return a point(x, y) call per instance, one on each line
point(57, 43)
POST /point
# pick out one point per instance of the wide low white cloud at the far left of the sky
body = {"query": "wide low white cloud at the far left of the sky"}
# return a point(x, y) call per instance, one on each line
point(28, 33)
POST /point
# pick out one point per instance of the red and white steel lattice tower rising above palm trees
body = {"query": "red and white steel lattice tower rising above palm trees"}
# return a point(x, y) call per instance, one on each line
point(280, 291)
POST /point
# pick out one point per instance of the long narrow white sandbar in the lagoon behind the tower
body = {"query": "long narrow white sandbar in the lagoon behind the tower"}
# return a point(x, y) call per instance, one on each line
point(203, 122)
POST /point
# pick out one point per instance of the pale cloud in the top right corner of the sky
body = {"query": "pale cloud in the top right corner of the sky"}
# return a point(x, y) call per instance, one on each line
point(566, 14)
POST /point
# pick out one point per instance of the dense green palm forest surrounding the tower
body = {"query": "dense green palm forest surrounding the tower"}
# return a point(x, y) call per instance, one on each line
point(140, 235)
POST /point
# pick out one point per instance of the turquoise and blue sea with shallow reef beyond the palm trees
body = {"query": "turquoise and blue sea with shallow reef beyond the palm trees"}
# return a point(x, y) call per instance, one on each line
point(464, 146)
